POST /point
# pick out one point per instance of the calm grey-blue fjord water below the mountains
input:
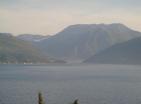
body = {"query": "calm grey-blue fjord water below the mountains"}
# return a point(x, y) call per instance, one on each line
point(61, 84)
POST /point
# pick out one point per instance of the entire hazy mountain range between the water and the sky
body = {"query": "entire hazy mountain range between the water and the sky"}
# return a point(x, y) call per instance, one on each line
point(88, 43)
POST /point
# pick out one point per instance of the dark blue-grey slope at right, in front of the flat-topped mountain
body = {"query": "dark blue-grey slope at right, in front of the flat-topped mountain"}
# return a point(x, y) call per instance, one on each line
point(124, 53)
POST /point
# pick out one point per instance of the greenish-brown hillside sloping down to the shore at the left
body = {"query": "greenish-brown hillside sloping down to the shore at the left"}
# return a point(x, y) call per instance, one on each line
point(13, 50)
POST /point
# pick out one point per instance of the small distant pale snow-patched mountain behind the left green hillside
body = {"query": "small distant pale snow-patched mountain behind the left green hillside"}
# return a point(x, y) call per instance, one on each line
point(31, 37)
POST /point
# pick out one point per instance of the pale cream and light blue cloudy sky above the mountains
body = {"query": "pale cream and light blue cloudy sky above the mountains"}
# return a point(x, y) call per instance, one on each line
point(47, 17)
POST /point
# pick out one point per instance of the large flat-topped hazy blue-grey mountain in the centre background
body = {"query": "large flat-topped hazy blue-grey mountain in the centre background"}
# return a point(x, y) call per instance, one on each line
point(79, 42)
